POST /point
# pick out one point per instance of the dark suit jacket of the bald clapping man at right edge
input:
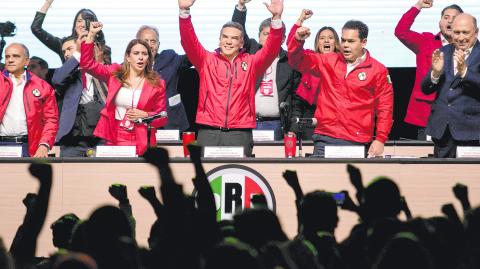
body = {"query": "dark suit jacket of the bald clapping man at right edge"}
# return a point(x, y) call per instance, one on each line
point(458, 100)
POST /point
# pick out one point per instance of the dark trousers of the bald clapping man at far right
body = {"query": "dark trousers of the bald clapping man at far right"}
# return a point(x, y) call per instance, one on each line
point(446, 147)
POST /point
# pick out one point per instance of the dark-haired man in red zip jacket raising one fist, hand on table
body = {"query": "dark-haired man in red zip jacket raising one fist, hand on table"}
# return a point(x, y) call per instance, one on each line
point(356, 90)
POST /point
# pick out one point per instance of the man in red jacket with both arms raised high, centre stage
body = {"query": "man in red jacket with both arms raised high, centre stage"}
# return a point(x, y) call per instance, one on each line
point(226, 101)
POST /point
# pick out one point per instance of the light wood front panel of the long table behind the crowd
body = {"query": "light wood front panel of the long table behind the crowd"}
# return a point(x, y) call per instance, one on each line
point(81, 185)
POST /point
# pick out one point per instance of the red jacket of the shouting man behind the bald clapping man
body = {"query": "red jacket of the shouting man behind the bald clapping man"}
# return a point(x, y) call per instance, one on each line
point(423, 45)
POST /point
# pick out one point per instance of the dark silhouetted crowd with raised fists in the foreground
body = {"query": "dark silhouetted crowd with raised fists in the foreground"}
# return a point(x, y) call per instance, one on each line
point(186, 233)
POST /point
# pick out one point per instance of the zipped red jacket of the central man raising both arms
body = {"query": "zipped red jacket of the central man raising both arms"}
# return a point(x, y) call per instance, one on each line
point(227, 90)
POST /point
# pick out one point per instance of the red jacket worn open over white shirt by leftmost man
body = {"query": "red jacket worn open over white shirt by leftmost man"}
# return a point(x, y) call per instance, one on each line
point(41, 111)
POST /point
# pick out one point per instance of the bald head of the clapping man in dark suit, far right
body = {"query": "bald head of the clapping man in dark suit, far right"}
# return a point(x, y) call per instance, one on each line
point(465, 31)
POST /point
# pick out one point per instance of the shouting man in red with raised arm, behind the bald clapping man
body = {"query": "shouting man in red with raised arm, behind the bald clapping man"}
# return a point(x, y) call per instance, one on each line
point(423, 45)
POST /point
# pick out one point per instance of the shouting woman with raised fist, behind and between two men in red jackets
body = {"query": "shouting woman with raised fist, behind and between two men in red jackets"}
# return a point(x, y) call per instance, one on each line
point(304, 103)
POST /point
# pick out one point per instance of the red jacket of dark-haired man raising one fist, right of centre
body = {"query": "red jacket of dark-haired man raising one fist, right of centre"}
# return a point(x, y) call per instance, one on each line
point(347, 107)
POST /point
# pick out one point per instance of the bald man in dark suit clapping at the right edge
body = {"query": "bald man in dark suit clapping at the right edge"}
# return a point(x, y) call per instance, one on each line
point(455, 76)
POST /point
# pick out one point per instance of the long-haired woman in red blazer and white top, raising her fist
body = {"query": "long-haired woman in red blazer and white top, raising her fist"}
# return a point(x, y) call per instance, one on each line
point(135, 91)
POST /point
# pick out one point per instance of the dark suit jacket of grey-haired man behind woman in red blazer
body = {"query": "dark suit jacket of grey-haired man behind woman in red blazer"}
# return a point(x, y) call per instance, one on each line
point(169, 65)
